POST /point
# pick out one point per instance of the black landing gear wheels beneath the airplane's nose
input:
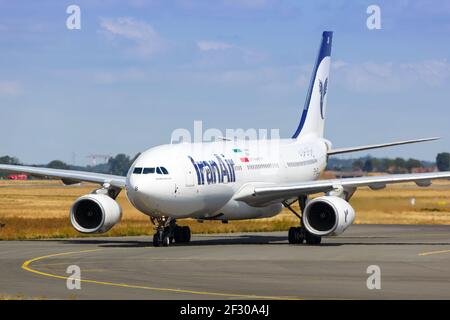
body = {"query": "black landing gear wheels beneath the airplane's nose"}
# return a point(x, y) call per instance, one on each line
point(168, 232)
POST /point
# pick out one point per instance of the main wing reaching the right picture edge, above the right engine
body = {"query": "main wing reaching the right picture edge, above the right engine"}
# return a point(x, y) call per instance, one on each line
point(261, 195)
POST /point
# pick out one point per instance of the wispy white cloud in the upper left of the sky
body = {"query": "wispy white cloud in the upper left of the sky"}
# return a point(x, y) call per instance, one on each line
point(146, 39)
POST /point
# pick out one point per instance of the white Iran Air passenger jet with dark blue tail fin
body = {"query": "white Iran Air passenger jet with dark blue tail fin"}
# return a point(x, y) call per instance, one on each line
point(235, 179)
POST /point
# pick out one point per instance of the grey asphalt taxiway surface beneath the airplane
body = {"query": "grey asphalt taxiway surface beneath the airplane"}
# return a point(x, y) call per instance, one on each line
point(414, 263)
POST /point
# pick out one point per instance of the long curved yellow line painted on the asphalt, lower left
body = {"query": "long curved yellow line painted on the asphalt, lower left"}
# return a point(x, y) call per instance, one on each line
point(26, 266)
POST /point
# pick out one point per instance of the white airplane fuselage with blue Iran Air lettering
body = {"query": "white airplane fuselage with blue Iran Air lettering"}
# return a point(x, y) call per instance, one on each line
point(204, 178)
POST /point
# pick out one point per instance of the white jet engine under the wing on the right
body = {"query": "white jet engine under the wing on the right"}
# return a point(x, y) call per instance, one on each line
point(328, 215)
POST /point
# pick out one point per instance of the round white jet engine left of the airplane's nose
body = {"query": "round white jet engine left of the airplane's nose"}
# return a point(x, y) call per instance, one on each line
point(95, 213)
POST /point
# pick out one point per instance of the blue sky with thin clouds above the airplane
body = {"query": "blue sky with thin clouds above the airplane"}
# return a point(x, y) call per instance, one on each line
point(137, 70)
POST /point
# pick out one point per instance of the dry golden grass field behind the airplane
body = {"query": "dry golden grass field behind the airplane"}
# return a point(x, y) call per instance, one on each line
point(40, 209)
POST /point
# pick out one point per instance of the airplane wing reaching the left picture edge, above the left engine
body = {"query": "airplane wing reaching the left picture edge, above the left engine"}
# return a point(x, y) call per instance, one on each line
point(69, 176)
